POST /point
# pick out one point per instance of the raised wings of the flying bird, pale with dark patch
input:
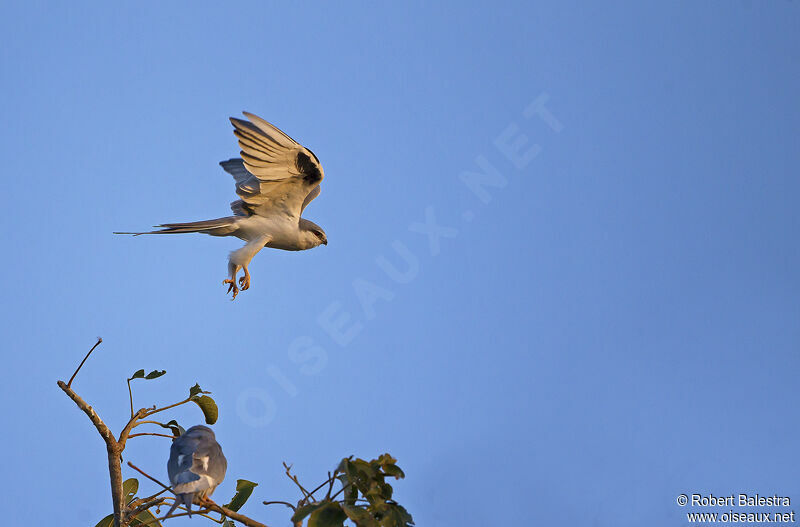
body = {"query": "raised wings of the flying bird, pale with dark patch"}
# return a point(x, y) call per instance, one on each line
point(275, 174)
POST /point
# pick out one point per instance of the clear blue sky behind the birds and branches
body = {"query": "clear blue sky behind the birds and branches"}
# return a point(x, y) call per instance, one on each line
point(612, 323)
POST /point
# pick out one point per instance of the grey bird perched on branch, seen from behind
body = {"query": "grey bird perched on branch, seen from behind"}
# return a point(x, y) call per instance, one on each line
point(196, 466)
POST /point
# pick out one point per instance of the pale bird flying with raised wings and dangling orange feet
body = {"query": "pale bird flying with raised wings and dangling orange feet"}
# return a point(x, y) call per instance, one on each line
point(276, 178)
